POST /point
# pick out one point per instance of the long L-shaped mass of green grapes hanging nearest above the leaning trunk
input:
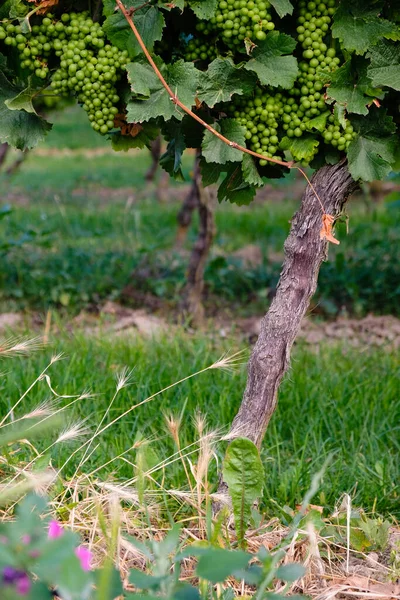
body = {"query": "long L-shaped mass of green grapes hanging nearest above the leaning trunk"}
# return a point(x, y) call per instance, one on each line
point(269, 114)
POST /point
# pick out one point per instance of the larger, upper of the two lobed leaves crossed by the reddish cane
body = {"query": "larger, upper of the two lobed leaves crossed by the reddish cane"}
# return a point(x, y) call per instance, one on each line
point(153, 100)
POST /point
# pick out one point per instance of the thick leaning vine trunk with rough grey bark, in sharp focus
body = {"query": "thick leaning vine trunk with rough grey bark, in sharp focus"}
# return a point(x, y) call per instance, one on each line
point(304, 253)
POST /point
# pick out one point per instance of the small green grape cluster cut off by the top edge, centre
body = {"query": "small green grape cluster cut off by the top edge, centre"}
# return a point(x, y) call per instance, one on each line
point(241, 19)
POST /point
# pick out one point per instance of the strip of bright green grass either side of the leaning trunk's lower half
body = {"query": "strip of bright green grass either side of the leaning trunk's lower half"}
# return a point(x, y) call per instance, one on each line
point(332, 401)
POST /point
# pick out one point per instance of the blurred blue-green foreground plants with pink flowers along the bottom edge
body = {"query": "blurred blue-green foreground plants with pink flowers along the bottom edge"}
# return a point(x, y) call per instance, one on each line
point(32, 543)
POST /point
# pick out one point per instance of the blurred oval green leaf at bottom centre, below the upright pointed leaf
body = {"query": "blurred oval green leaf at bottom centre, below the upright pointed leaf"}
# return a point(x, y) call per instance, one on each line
point(218, 564)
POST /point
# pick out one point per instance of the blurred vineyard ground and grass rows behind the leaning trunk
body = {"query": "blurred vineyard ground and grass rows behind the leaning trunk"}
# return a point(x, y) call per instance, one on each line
point(91, 261)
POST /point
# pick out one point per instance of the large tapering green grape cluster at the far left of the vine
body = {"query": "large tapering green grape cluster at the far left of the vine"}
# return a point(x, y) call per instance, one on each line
point(88, 66)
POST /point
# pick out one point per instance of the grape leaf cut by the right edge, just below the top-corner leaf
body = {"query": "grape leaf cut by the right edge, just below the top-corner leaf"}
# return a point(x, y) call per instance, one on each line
point(385, 64)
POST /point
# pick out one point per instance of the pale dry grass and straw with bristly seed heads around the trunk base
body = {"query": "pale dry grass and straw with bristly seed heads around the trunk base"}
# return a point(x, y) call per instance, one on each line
point(107, 513)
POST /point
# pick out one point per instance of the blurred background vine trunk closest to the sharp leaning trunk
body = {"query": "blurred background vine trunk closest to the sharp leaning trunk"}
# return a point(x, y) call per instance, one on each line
point(193, 305)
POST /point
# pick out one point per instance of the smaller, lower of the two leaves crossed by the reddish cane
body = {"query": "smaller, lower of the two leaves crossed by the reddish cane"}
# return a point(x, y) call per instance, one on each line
point(215, 150)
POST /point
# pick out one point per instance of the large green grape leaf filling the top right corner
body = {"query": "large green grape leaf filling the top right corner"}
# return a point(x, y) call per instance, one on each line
point(359, 26)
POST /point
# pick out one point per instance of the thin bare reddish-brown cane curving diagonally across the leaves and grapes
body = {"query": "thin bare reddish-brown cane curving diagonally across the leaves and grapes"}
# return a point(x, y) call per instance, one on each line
point(174, 98)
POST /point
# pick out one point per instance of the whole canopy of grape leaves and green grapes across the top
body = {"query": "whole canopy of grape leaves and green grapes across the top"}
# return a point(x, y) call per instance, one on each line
point(275, 69)
